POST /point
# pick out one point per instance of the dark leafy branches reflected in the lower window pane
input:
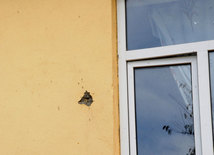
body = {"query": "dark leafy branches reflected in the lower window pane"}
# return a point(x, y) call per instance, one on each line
point(186, 126)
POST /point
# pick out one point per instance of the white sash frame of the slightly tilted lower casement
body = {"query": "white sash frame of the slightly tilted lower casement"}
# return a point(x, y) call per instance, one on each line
point(131, 99)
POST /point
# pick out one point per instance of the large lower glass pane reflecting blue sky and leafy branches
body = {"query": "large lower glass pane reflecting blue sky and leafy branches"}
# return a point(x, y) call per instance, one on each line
point(164, 110)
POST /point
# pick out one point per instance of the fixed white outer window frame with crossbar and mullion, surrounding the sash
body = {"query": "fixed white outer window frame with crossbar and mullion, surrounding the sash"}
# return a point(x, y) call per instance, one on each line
point(200, 49)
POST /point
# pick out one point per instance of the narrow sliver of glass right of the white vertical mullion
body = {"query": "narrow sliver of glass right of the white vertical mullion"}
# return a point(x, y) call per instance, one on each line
point(211, 56)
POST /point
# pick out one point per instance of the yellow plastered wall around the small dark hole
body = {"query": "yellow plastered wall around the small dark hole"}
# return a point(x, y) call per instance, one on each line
point(51, 51)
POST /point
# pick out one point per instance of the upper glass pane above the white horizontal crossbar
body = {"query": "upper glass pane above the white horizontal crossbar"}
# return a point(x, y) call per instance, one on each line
point(153, 23)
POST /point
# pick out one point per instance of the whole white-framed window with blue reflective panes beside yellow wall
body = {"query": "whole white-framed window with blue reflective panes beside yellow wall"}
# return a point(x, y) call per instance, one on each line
point(166, 76)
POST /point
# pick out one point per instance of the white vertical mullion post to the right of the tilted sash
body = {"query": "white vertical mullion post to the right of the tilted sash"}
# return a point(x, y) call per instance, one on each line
point(204, 102)
